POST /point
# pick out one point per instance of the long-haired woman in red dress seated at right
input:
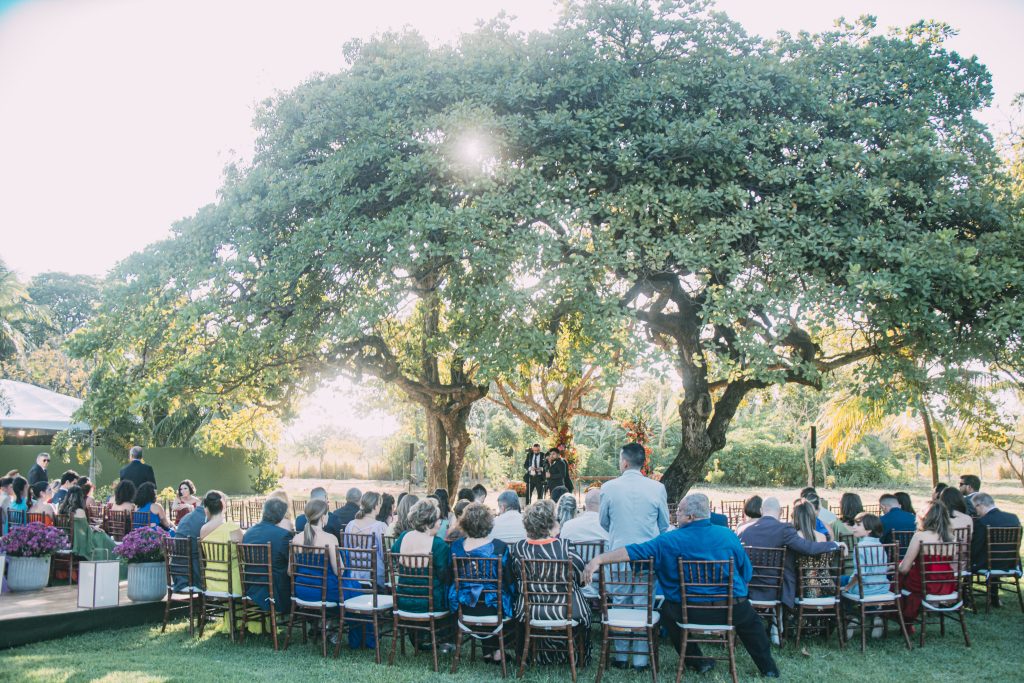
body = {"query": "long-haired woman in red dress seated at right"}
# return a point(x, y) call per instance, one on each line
point(934, 529)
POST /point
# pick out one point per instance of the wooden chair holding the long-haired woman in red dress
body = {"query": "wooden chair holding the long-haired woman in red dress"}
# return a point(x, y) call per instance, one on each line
point(936, 580)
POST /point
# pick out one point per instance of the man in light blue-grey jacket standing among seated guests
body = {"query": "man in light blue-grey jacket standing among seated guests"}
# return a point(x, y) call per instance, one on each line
point(634, 509)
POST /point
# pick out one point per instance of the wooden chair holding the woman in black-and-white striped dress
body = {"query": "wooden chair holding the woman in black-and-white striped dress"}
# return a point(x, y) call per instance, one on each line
point(547, 587)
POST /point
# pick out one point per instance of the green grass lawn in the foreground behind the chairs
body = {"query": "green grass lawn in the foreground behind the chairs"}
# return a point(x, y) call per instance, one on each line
point(143, 654)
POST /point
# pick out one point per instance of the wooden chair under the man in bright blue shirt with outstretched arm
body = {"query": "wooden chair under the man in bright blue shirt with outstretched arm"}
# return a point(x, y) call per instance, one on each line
point(700, 625)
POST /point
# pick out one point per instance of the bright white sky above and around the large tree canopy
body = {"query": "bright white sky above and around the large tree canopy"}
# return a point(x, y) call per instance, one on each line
point(118, 116)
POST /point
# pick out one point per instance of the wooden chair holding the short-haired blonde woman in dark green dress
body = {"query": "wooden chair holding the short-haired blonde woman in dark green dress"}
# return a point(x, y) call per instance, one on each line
point(413, 580)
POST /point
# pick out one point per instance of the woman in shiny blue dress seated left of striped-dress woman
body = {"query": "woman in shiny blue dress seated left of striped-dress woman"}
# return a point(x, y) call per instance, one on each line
point(477, 524)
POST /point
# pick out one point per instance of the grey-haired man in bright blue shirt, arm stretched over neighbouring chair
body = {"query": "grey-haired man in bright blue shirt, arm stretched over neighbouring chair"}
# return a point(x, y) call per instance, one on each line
point(698, 539)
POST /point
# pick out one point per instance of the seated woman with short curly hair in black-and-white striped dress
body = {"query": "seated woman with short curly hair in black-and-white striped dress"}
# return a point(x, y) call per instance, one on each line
point(542, 544)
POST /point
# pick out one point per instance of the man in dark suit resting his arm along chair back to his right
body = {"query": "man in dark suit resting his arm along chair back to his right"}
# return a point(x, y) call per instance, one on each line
point(771, 533)
